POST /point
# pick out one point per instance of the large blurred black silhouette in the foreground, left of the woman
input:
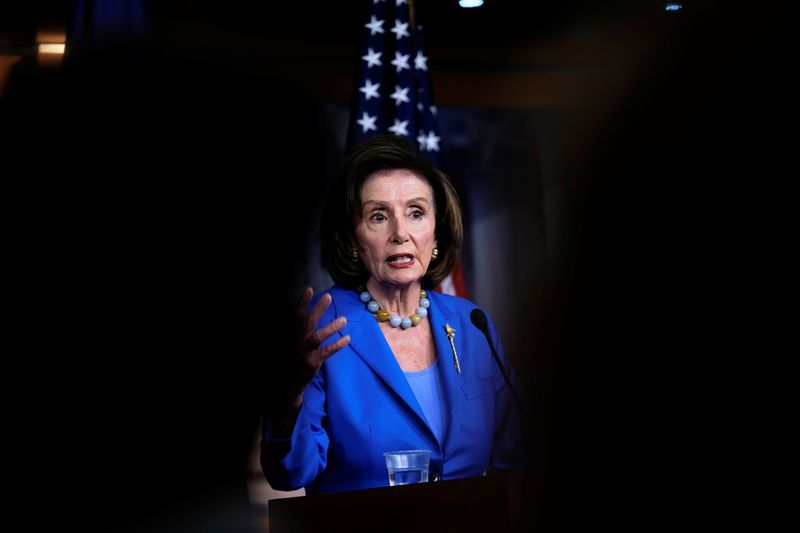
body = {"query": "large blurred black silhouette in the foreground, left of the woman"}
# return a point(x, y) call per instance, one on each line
point(150, 268)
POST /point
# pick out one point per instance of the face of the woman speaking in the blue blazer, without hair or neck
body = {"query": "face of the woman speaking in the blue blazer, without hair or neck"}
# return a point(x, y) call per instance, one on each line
point(396, 234)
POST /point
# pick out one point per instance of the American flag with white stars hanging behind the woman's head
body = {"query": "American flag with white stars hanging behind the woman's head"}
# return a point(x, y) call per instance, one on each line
point(393, 94)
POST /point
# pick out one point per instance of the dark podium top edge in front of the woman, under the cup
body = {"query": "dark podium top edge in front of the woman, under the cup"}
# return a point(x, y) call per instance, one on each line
point(491, 503)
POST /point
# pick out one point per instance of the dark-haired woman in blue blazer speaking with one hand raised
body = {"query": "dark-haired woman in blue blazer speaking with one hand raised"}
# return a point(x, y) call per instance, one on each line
point(393, 365)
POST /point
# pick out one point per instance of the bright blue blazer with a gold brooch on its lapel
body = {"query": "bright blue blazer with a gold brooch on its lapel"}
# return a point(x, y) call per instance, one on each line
point(360, 405)
